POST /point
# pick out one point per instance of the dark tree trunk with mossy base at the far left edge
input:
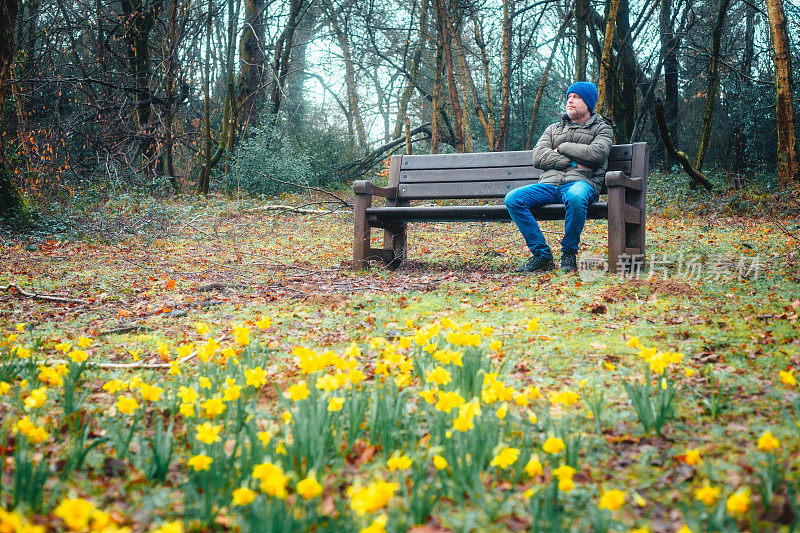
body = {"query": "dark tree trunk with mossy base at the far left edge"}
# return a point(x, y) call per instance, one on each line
point(12, 205)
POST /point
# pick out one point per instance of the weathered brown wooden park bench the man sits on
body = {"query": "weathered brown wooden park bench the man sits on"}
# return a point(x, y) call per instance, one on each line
point(490, 176)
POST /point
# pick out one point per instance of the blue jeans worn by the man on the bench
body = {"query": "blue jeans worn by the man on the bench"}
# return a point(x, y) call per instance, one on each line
point(576, 197)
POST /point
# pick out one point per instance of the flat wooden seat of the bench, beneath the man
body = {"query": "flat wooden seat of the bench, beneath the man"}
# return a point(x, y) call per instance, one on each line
point(476, 213)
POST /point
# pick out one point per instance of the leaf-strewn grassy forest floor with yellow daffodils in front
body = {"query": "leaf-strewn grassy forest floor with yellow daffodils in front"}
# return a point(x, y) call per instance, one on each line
point(179, 304)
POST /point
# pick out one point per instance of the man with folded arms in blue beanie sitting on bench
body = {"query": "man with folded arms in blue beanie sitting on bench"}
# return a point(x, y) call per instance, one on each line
point(573, 155)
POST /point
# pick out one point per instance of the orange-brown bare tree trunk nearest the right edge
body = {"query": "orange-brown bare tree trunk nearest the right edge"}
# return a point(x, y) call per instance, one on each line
point(788, 166)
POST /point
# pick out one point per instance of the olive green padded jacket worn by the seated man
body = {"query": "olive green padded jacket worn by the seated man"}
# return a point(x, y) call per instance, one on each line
point(587, 144)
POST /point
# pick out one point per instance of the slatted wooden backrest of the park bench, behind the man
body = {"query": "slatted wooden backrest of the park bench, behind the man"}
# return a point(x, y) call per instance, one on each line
point(476, 175)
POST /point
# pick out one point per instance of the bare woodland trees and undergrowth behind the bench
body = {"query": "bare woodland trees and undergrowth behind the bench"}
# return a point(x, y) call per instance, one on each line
point(98, 97)
